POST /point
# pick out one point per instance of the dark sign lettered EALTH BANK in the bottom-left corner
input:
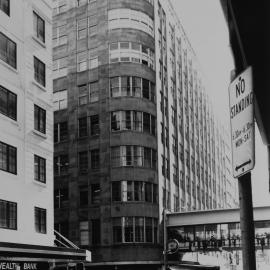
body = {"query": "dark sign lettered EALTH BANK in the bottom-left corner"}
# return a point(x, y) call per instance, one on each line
point(23, 265)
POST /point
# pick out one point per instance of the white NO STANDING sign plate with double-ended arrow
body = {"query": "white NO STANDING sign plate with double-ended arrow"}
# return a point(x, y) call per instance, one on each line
point(242, 123)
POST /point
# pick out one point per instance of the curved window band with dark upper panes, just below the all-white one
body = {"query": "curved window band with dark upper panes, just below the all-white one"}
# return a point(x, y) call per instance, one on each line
point(132, 52)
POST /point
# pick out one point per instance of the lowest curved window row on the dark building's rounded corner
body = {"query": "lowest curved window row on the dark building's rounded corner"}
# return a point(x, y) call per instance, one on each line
point(135, 230)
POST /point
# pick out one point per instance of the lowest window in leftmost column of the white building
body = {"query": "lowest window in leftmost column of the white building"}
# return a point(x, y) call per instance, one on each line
point(8, 215)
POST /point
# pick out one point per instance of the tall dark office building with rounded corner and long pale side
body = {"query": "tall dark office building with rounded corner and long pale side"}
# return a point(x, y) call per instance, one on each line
point(134, 129)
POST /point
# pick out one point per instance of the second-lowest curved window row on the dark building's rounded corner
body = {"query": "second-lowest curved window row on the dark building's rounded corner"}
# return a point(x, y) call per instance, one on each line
point(128, 191)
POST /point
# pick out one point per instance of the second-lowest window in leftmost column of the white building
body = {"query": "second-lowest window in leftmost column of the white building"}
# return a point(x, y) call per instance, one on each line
point(8, 158)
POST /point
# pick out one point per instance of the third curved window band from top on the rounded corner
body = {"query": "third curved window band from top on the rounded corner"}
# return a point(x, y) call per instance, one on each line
point(133, 87)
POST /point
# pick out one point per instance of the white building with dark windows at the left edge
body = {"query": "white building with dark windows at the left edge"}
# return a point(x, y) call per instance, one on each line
point(26, 123)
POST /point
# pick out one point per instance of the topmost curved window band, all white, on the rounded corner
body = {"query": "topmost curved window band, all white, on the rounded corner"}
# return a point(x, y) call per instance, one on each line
point(128, 18)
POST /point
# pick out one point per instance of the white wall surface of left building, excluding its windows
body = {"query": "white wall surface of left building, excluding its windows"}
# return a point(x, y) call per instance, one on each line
point(22, 188)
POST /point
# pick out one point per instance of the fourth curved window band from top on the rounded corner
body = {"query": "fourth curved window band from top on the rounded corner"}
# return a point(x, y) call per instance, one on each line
point(133, 120)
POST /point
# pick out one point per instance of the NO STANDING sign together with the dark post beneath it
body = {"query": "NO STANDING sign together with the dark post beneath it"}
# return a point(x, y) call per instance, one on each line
point(243, 157)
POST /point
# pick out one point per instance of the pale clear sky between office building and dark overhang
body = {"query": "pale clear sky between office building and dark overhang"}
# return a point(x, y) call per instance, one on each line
point(207, 31)
